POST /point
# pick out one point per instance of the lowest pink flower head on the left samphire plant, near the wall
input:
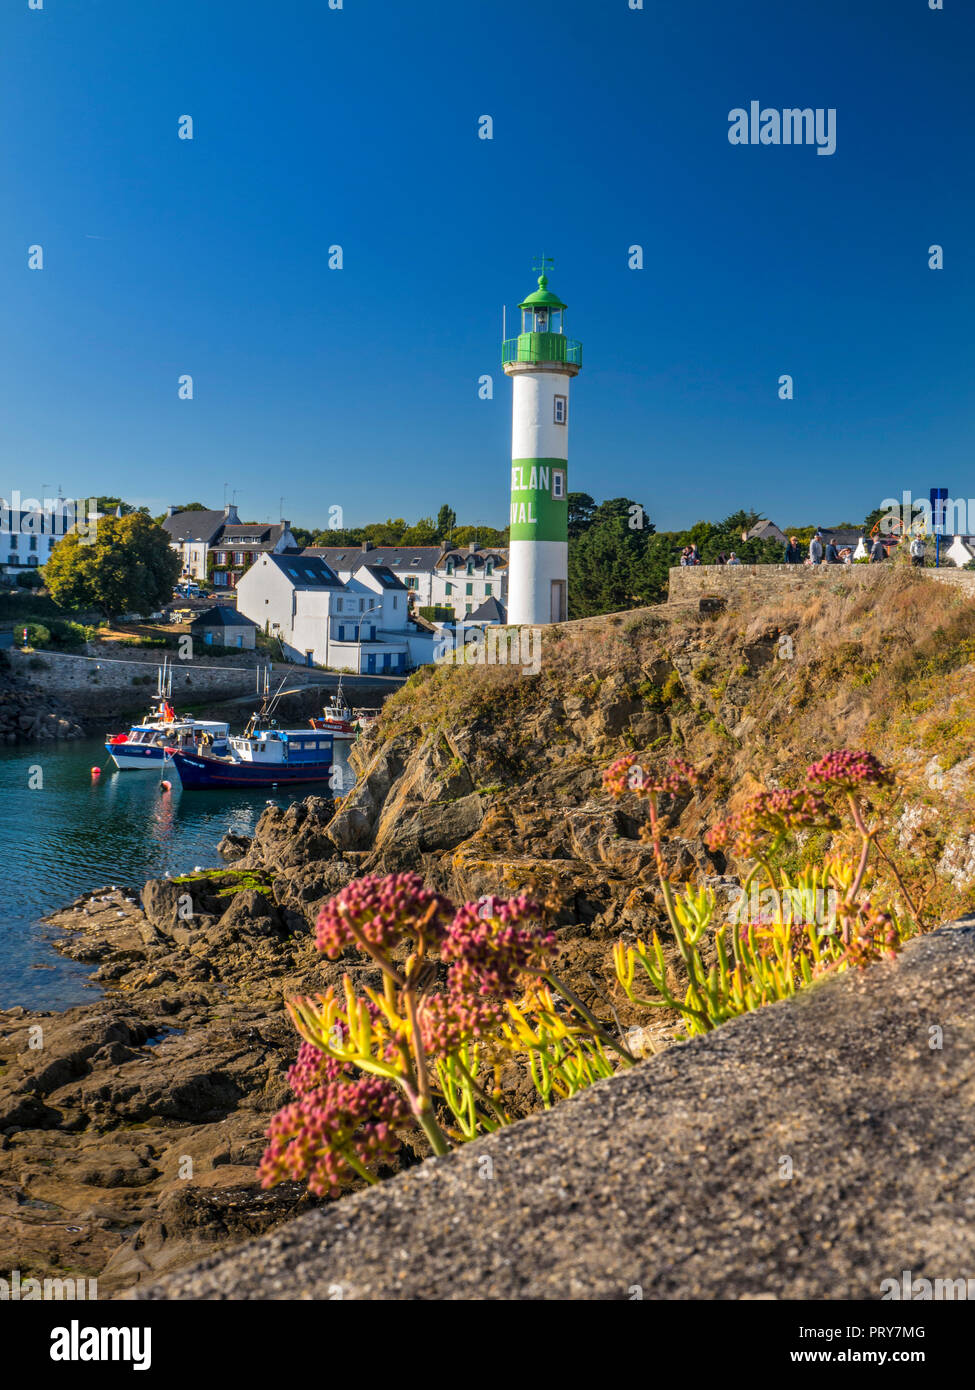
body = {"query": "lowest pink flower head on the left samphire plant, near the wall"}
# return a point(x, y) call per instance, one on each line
point(314, 1138)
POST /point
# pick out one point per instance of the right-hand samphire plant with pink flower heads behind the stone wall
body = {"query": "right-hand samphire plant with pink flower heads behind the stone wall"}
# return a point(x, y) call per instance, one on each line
point(827, 917)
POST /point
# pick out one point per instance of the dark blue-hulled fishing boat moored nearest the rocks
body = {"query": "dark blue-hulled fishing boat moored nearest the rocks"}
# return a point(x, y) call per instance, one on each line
point(262, 757)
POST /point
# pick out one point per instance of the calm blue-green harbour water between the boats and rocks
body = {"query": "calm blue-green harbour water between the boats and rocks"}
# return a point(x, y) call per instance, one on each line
point(72, 835)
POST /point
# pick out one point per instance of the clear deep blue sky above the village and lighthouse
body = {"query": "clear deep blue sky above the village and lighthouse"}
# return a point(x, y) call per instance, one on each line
point(358, 387)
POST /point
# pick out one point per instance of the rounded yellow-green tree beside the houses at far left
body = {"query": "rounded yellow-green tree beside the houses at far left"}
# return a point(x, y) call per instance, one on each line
point(129, 565)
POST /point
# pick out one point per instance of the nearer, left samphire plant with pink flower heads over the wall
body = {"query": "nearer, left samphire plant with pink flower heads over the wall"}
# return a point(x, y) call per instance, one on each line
point(424, 1052)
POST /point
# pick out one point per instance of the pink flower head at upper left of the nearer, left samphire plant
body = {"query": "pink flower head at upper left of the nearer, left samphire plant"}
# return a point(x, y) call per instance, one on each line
point(382, 913)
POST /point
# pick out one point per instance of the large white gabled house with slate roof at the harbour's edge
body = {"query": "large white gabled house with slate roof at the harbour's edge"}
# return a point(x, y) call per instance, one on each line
point(361, 626)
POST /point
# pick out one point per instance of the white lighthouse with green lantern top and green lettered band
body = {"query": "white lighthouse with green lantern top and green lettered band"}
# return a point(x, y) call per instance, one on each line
point(542, 362)
